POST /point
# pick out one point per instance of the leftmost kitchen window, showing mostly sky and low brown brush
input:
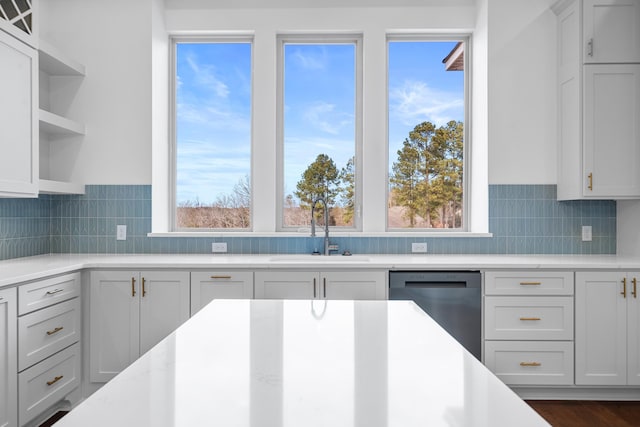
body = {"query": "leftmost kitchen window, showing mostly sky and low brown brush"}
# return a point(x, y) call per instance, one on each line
point(212, 136)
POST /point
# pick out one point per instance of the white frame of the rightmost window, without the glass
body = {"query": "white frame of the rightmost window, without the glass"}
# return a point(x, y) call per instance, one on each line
point(465, 38)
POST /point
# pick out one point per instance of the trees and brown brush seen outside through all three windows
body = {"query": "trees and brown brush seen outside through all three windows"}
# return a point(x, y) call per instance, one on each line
point(425, 186)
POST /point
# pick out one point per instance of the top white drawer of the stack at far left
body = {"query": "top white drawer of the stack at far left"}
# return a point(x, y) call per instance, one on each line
point(43, 293)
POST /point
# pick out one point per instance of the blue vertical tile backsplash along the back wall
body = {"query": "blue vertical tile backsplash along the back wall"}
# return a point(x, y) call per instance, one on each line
point(524, 219)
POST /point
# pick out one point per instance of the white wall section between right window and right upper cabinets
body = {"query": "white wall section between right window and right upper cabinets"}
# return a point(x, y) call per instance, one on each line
point(522, 92)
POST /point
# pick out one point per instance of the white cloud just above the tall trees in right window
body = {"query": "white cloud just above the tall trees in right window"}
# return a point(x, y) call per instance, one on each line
point(415, 102)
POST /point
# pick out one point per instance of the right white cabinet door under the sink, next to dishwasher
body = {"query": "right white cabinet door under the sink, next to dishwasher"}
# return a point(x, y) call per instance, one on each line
point(354, 285)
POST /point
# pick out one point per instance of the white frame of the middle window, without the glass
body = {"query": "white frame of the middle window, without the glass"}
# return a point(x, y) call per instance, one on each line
point(319, 38)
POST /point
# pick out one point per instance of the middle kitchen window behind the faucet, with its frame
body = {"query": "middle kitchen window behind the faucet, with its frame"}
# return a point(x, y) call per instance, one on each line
point(319, 128)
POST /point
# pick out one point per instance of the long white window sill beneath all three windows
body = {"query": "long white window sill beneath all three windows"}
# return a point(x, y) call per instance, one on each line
point(227, 234)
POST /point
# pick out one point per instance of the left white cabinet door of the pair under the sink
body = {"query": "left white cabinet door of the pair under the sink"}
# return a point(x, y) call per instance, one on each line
point(286, 285)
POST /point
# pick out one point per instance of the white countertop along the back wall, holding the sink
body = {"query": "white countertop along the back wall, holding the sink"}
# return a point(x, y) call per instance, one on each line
point(30, 268)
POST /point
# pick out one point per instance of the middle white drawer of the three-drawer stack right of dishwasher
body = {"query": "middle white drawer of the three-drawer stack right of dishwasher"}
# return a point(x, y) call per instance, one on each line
point(528, 318)
